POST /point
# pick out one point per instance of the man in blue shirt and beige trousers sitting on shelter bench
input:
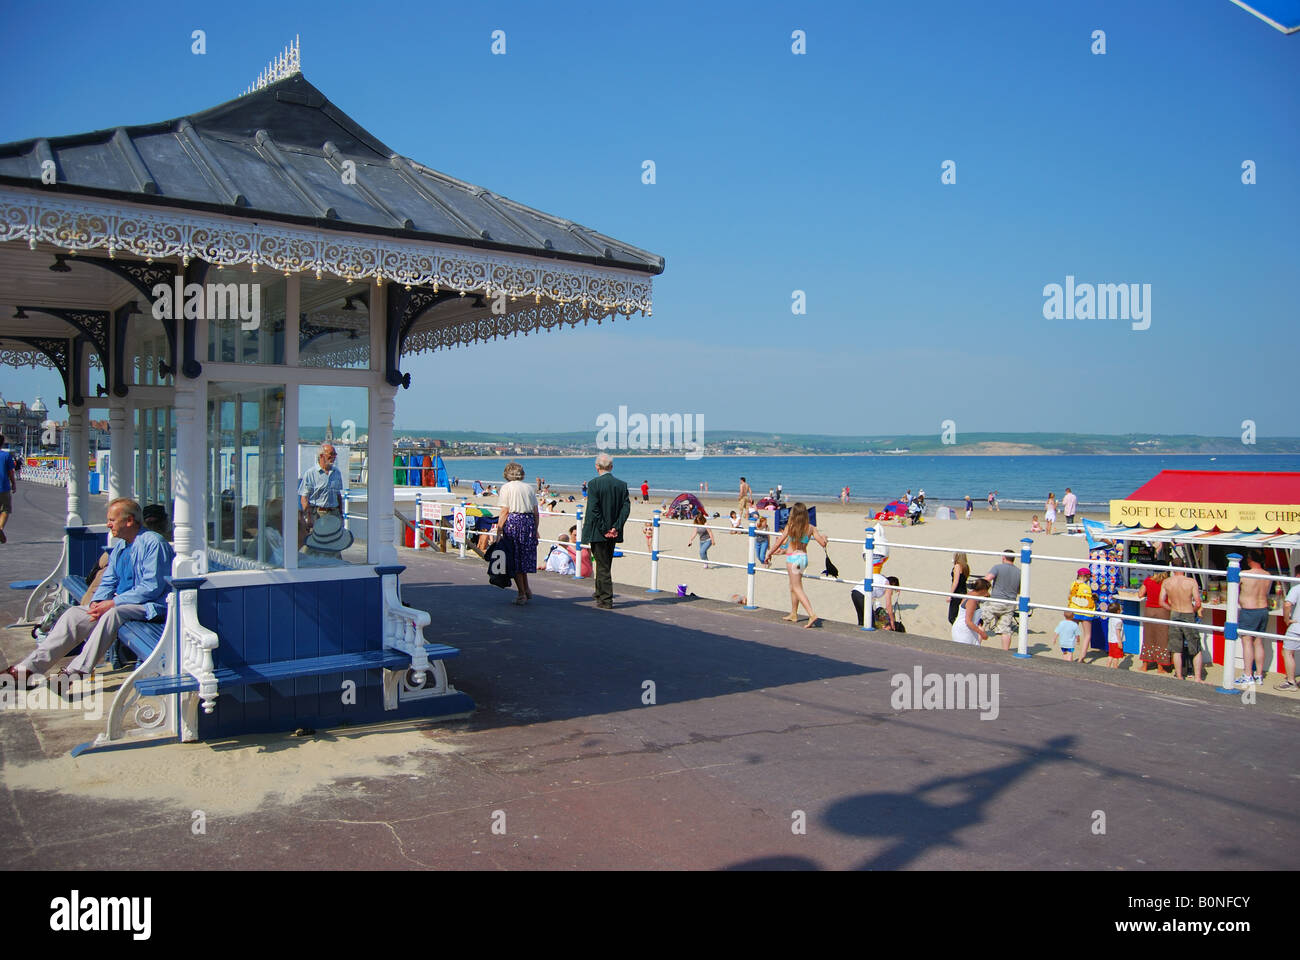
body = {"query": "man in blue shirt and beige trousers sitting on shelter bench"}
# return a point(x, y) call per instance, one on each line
point(133, 589)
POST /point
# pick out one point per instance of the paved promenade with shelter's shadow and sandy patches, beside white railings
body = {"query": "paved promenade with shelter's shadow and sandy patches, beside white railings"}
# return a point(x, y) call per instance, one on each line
point(757, 728)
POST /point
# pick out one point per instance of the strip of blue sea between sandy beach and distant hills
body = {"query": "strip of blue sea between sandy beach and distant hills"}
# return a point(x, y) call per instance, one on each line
point(1021, 482)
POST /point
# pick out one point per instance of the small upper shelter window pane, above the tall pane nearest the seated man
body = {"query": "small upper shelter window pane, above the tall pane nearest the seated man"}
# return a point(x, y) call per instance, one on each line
point(237, 293)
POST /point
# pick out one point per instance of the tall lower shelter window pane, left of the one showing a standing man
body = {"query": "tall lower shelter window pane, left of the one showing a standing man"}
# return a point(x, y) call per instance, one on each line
point(246, 477)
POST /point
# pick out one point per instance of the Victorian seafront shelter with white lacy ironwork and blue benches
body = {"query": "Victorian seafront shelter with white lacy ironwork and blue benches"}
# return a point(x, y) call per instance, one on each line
point(215, 270)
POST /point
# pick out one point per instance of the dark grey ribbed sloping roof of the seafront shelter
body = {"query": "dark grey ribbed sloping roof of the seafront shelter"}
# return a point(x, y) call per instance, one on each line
point(280, 154)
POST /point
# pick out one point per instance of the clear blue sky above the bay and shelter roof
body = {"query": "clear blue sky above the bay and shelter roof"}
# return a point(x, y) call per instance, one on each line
point(818, 172)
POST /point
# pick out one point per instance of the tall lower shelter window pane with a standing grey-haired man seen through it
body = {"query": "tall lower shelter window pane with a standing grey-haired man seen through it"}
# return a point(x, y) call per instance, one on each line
point(333, 475)
